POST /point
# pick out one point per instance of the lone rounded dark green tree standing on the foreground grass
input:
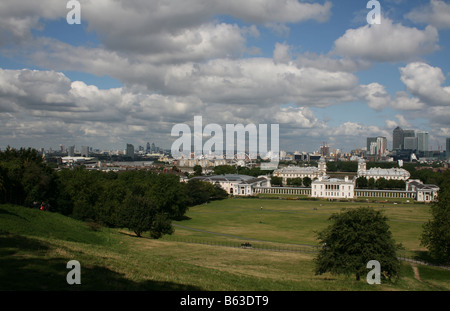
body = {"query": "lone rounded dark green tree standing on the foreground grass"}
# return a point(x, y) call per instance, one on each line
point(353, 239)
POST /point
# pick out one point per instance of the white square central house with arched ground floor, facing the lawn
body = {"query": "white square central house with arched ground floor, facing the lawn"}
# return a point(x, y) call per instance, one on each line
point(333, 188)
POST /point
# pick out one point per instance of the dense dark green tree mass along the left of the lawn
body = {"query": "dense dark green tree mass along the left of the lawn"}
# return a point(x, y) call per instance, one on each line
point(138, 200)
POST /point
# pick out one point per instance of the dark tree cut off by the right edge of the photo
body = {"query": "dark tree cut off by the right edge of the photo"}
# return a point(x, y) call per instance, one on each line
point(436, 232)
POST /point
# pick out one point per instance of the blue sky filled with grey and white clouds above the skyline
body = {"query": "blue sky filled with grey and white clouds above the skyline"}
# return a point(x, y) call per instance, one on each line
point(134, 68)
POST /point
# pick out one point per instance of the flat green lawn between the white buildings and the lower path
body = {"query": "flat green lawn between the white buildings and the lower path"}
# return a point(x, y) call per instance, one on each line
point(293, 221)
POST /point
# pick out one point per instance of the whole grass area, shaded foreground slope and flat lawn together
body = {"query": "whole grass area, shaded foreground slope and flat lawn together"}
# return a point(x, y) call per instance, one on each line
point(35, 247)
